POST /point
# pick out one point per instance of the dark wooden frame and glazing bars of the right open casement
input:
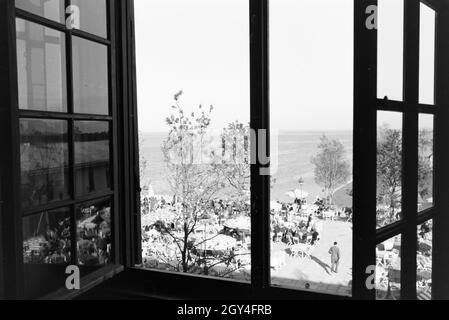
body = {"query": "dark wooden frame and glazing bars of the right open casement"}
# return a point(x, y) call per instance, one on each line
point(410, 109)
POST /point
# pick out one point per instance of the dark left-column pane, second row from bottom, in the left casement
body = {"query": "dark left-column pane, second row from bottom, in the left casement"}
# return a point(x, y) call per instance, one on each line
point(44, 161)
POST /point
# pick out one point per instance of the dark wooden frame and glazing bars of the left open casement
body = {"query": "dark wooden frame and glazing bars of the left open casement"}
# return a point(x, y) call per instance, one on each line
point(13, 267)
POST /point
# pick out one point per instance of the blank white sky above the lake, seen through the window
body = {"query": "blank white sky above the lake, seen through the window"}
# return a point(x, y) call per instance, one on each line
point(202, 48)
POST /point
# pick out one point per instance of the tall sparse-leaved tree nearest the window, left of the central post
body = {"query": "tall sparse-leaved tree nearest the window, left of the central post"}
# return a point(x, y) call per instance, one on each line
point(194, 177)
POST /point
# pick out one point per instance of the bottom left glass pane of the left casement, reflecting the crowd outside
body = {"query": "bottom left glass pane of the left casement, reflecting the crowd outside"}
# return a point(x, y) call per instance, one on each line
point(46, 237)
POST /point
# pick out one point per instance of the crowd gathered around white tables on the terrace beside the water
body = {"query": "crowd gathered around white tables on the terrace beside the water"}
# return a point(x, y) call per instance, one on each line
point(162, 223)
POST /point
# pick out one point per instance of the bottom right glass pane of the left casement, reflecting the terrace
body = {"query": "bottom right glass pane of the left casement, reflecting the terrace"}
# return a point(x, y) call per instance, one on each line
point(93, 234)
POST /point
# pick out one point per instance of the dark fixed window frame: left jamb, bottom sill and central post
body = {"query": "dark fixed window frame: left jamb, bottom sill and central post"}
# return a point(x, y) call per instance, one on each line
point(260, 285)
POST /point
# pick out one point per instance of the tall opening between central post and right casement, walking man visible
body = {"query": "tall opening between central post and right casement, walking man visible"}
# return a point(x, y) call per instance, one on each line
point(311, 202)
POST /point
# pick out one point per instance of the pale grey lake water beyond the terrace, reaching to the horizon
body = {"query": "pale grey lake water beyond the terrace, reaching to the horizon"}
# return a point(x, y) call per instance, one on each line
point(295, 150)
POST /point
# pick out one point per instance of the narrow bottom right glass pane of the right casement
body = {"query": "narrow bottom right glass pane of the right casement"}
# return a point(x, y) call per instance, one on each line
point(424, 260)
